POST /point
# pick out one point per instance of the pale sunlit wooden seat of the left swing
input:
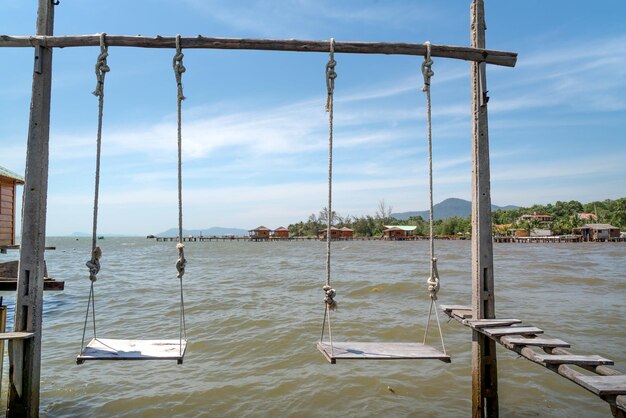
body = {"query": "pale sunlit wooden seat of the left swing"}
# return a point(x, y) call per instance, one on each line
point(115, 349)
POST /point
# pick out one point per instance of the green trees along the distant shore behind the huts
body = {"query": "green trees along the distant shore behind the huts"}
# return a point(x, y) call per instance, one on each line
point(565, 217)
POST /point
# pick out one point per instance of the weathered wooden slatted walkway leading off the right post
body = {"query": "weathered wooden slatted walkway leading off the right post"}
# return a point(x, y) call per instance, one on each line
point(609, 384)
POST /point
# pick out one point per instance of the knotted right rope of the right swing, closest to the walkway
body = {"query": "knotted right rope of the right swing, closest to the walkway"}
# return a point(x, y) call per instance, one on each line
point(433, 280)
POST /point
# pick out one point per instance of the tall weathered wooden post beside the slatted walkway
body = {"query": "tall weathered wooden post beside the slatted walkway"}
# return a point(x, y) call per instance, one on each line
point(484, 361)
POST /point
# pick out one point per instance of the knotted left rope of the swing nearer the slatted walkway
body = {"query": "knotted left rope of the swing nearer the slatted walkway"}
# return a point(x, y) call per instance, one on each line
point(329, 292)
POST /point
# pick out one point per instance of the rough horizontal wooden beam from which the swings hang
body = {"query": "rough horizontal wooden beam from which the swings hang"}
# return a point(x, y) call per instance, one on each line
point(507, 59)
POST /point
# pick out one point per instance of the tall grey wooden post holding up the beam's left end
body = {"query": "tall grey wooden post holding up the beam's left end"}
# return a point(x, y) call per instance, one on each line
point(25, 354)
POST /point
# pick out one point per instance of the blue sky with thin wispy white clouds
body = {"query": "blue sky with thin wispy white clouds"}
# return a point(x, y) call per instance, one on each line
point(254, 126)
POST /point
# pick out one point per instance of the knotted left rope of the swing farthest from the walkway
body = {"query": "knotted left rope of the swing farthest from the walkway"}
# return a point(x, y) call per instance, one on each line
point(96, 253)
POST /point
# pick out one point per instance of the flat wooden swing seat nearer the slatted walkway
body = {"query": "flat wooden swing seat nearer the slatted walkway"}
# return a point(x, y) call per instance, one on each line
point(380, 351)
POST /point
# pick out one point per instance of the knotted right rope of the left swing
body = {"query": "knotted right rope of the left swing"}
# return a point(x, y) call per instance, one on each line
point(181, 262)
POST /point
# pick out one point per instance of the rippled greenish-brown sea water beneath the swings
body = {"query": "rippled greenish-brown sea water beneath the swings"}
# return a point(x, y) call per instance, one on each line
point(254, 312)
